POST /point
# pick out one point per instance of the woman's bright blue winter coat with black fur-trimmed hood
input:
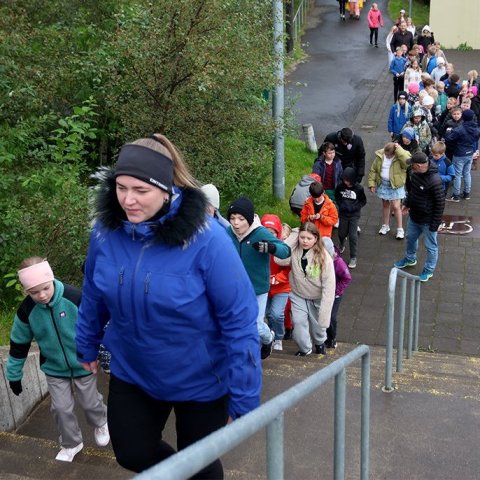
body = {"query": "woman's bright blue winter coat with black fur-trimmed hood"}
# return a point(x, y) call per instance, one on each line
point(182, 309)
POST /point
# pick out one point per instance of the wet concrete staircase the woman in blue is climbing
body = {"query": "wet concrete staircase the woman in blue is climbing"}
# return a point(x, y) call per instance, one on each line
point(429, 427)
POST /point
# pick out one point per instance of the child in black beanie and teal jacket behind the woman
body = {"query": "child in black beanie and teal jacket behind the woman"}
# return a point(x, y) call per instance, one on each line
point(255, 244)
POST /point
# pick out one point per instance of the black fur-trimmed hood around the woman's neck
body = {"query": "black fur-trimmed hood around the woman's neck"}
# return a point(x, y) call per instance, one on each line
point(184, 217)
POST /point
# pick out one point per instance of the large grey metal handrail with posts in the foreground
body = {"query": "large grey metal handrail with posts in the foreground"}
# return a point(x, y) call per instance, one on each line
point(187, 462)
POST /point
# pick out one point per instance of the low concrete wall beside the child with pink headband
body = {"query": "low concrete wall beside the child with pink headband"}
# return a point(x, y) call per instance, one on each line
point(14, 410)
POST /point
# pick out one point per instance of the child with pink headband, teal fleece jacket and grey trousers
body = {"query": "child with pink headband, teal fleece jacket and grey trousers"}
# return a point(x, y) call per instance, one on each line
point(48, 315)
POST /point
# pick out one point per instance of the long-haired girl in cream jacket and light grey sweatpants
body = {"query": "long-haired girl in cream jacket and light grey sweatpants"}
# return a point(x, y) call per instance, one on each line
point(312, 279)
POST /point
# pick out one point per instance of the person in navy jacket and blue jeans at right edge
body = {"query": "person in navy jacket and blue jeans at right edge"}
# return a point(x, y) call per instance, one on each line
point(464, 141)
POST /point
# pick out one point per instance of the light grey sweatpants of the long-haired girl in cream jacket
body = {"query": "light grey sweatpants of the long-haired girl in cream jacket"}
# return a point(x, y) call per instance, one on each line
point(305, 321)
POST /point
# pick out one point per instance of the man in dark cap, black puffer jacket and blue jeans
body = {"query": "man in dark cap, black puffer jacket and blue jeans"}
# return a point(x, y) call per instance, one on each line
point(424, 203)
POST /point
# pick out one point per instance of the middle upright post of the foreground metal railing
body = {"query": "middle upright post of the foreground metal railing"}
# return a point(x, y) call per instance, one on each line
point(339, 427)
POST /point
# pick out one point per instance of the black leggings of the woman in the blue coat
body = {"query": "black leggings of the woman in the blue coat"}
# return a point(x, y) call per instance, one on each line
point(136, 422)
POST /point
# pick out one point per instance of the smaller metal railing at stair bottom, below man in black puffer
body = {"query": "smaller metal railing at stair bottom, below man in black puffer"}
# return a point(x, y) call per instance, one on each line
point(413, 321)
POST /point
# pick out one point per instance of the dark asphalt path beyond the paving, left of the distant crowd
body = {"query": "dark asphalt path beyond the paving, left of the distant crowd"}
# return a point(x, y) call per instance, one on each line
point(341, 69)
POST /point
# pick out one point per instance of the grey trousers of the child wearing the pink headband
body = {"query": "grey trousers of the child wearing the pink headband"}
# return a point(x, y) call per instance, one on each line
point(62, 392)
